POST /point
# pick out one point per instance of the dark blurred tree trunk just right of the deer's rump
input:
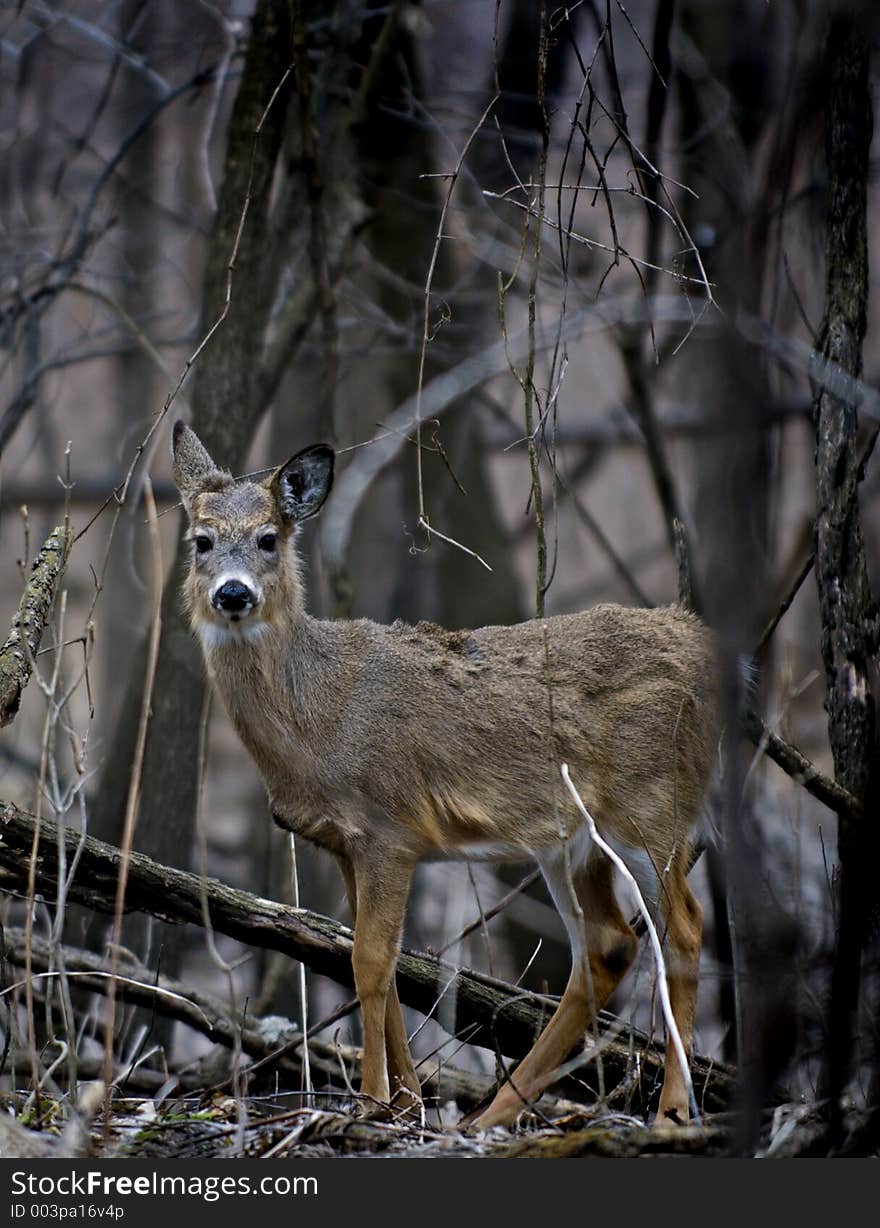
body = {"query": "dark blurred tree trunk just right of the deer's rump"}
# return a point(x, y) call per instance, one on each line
point(731, 55)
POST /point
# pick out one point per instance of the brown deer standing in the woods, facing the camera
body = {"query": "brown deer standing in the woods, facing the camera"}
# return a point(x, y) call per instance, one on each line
point(390, 745)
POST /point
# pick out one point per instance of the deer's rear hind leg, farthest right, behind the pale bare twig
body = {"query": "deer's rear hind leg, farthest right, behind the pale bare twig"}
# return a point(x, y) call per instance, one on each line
point(684, 920)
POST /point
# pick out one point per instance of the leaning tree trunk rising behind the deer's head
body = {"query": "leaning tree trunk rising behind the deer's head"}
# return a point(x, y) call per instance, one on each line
point(225, 416)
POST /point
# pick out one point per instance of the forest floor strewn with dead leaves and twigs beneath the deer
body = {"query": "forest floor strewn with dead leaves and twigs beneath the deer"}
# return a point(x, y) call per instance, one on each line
point(226, 1129)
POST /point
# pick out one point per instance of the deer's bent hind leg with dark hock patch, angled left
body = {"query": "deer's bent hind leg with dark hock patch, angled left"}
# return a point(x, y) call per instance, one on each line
point(603, 947)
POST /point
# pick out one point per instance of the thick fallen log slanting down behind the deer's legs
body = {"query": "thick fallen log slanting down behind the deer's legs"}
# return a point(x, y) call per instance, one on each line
point(490, 1012)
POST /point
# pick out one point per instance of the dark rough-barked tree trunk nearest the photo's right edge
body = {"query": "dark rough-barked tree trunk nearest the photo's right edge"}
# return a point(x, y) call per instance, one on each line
point(849, 611)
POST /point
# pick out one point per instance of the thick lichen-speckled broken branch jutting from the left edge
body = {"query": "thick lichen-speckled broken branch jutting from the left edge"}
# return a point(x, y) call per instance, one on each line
point(19, 651)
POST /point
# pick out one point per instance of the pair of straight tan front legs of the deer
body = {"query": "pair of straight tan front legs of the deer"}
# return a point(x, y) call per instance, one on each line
point(382, 892)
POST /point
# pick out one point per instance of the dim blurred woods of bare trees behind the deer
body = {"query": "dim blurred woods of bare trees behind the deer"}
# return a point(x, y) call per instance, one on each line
point(617, 261)
